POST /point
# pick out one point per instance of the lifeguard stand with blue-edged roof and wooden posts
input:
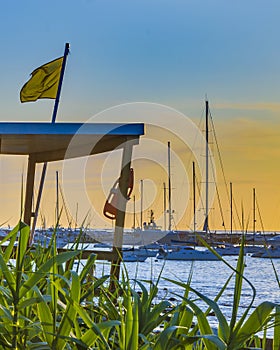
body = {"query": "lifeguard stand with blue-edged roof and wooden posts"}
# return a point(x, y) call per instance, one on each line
point(48, 142)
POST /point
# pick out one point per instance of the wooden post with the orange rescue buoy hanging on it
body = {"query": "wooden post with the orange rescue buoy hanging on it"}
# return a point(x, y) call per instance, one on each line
point(120, 217)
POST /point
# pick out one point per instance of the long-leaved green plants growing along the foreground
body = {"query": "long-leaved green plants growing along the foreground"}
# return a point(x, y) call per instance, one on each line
point(53, 301)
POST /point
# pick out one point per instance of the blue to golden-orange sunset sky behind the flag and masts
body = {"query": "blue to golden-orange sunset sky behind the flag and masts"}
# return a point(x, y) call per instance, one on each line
point(154, 62)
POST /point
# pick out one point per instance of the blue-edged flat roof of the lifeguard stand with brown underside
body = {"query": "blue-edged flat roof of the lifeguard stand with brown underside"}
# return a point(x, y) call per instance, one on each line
point(57, 141)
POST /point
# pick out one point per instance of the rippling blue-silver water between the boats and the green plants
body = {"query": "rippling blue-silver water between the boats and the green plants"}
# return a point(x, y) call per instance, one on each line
point(208, 278)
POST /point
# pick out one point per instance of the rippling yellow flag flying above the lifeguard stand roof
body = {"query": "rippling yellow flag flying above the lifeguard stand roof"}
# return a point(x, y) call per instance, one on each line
point(43, 82)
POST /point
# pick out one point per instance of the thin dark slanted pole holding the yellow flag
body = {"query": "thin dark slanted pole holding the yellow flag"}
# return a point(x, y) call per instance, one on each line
point(43, 174)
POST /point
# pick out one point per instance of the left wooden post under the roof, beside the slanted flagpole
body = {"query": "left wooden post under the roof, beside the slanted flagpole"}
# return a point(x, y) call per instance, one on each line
point(29, 190)
